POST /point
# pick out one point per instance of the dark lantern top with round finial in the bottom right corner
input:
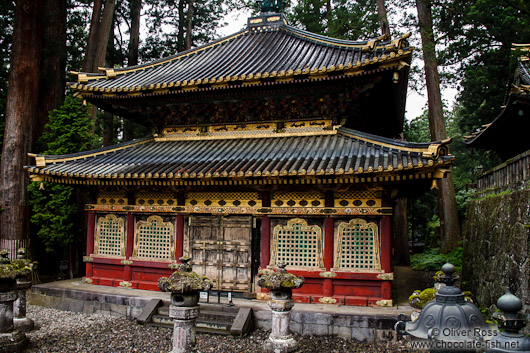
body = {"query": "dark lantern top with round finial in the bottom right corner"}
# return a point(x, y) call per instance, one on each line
point(511, 321)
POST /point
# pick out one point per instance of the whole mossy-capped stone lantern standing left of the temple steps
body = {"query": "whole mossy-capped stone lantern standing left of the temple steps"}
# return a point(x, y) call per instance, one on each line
point(184, 286)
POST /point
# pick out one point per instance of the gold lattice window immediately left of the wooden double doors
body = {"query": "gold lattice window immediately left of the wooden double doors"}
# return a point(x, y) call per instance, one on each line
point(154, 239)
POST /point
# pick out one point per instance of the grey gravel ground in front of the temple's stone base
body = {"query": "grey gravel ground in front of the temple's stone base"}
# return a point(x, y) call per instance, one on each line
point(68, 332)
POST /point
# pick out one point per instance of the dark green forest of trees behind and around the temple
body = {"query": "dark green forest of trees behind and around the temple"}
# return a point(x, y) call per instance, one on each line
point(473, 47)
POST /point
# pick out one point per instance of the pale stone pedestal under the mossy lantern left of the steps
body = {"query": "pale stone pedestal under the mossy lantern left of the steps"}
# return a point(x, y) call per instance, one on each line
point(184, 334)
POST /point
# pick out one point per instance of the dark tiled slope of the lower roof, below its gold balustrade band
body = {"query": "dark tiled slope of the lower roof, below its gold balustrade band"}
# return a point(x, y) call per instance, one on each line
point(331, 152)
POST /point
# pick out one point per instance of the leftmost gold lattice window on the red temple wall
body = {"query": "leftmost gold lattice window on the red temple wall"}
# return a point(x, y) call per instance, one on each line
point(110, 236)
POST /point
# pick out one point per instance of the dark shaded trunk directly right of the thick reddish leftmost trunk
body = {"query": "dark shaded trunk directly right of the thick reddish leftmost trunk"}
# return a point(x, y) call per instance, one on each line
point(53, 62)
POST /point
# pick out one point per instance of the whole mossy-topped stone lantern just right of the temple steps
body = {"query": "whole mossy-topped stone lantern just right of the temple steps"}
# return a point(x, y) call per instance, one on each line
point(281, 283)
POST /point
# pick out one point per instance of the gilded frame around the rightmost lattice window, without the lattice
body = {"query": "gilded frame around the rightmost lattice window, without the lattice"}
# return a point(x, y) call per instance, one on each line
point(339, 240)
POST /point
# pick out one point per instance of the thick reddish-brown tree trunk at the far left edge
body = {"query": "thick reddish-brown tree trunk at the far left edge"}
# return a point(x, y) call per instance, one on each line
point(21, 112)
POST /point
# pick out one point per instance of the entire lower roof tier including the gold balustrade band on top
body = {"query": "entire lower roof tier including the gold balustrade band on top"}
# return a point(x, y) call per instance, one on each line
point(247, 152)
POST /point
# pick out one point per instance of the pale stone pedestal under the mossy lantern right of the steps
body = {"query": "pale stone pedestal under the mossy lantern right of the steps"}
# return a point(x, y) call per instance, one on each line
point(280, 340)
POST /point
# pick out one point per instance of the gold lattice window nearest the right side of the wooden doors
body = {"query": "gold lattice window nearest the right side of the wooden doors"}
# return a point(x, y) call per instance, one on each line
point(297, 244)
